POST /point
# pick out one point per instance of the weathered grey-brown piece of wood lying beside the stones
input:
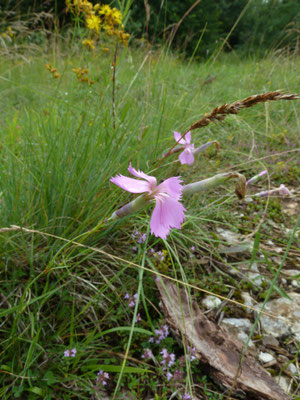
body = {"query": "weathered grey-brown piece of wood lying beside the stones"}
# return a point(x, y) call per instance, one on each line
point(215, 347)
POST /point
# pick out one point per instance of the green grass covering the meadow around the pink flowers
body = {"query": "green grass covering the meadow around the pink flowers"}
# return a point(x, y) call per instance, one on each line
point(58, 151)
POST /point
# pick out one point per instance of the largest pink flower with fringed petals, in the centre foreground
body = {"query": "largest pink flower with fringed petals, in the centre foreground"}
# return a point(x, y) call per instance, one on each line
point(168, 211)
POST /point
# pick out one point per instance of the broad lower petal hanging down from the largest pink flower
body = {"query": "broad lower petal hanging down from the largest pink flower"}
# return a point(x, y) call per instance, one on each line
point(167, 214)
